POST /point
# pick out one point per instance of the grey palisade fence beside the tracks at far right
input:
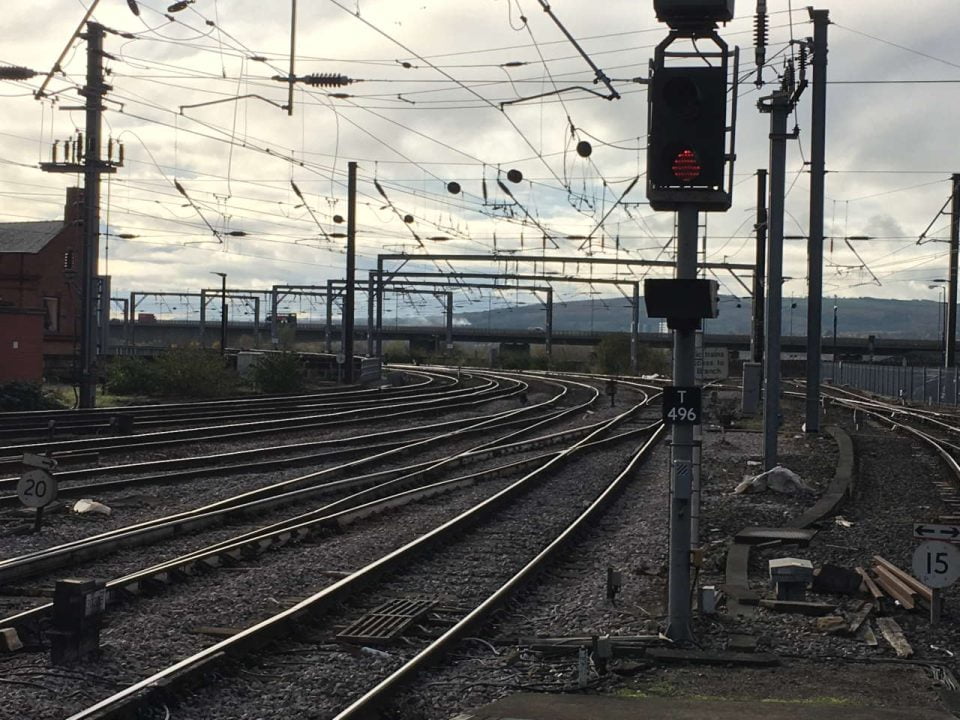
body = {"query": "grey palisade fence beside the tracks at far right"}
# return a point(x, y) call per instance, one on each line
point(926, 385)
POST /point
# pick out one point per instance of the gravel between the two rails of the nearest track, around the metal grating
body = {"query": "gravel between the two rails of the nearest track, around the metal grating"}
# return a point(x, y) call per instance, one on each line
point(322, 680)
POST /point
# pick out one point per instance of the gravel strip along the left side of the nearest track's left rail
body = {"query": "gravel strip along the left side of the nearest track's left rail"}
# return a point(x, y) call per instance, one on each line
point(143, 637)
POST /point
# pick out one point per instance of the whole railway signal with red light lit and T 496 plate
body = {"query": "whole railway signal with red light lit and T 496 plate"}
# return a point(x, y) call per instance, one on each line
point(689, 170)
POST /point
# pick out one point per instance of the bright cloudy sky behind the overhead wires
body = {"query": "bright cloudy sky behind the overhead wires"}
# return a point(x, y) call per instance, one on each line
point(424, 109)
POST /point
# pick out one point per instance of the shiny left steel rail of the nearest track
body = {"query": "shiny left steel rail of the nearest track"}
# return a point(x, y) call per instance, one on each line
point(124, 701)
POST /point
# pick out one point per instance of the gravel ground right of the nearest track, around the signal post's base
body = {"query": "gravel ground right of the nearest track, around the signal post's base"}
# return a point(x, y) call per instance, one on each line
point(892, 490)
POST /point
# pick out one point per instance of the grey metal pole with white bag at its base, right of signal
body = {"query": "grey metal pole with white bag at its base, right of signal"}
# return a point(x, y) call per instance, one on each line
point(779, 109)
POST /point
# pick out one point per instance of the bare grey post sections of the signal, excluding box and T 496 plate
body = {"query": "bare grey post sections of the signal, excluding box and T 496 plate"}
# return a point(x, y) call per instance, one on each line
point(681, 451)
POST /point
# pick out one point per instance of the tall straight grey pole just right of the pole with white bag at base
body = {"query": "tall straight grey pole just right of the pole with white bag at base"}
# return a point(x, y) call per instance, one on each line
point(821, 21)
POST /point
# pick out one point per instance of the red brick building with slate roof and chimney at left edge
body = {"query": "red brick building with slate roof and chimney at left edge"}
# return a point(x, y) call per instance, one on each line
point(40, 290)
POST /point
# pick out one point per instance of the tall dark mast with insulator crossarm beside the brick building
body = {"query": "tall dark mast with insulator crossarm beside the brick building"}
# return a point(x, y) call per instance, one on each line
point(94, 91)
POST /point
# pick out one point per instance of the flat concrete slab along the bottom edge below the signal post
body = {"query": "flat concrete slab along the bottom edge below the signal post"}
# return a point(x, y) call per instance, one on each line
point(581, 707)
